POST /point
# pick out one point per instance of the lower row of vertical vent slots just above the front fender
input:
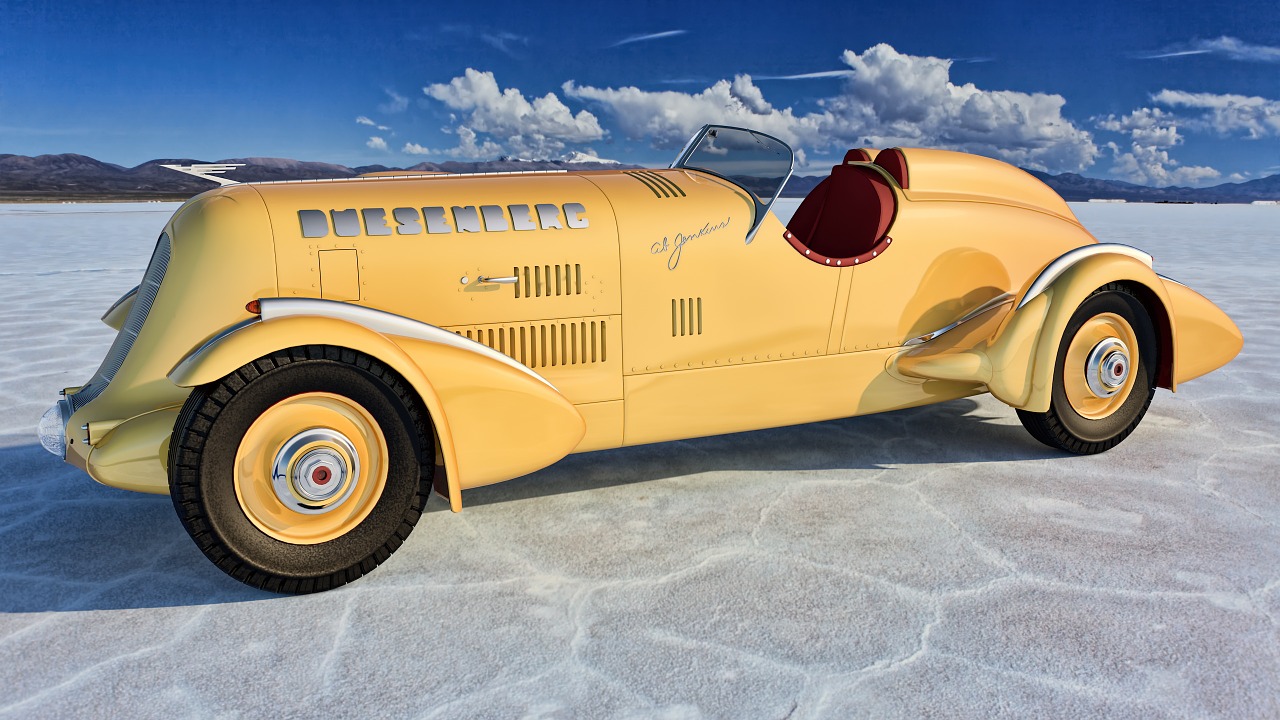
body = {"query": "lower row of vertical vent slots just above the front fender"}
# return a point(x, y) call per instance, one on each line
point(546, 345)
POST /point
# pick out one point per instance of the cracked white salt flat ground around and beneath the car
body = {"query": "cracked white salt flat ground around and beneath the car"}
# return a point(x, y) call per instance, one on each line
point(926, 563)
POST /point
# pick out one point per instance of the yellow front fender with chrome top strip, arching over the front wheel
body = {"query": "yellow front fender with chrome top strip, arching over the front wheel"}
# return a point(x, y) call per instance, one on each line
point(495, 420)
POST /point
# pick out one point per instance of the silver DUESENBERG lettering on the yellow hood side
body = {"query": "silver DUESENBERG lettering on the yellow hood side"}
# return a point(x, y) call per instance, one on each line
point(437, 220)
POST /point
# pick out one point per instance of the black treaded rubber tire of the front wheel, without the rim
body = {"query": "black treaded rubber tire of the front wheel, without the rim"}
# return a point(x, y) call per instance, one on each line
point(207, 440)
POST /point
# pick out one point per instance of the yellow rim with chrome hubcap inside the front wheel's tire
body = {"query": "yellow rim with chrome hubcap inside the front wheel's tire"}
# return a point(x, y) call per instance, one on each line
point(312, 468)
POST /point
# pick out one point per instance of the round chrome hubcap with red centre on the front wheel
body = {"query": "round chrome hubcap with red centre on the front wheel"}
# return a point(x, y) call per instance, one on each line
point(316, 471)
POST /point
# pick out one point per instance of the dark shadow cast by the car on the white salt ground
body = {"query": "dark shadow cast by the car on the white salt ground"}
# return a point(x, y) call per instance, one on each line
point(72, 545)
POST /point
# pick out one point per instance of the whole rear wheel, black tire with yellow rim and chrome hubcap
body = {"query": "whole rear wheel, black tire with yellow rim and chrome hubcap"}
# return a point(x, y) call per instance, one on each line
point(1105, 376)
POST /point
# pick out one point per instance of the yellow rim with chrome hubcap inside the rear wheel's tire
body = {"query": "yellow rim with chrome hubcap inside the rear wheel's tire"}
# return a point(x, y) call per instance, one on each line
point(1101, 366)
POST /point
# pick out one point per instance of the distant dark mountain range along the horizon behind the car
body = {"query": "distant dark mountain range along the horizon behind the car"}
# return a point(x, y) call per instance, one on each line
point(79, 177)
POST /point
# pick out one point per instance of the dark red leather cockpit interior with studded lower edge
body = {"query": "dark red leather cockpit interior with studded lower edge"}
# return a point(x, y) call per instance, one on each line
point(845, 217)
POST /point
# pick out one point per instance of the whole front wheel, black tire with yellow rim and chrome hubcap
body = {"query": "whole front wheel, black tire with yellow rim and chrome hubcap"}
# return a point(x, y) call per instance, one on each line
point(303, 471)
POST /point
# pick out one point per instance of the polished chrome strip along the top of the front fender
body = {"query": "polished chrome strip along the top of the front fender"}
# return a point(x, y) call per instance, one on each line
point(385, 323)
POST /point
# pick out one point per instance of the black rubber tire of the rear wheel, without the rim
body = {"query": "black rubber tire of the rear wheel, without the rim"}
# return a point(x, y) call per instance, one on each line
point(1063, 429)
